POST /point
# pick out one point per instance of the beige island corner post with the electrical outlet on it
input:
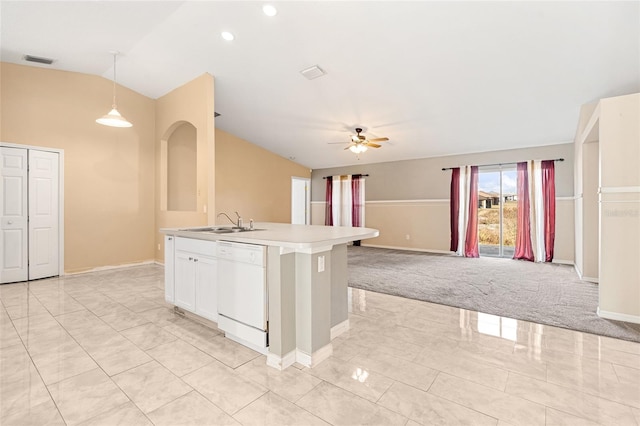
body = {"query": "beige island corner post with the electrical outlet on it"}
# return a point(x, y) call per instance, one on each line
point(313, 308)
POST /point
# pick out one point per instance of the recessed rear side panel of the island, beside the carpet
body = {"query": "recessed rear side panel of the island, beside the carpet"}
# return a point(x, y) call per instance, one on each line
point(339, 284)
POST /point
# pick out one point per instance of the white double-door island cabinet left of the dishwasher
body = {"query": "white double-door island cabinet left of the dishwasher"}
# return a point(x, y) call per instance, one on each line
point(195, 272)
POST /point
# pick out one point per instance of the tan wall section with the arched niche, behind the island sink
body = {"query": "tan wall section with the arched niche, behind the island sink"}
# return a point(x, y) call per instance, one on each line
point(191, 103)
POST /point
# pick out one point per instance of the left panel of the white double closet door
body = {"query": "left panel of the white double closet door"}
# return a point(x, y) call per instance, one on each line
point(13, 208)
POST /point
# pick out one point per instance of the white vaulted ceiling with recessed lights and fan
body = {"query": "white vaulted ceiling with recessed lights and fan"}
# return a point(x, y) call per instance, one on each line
point(437, 78)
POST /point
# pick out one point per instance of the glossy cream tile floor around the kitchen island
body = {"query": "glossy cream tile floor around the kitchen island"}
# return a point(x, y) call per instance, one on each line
point(103, 349)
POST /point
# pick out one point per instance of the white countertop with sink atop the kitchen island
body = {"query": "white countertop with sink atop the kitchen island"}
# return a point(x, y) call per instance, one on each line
point(297, 237)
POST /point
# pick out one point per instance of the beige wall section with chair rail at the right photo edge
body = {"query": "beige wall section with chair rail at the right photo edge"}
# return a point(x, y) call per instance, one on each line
point(619, 171)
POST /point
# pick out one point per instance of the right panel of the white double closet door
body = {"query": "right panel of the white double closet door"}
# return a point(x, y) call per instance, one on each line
point(43, 214)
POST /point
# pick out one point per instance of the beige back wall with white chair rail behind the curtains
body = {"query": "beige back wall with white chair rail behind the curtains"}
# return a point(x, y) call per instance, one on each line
point(411, 198)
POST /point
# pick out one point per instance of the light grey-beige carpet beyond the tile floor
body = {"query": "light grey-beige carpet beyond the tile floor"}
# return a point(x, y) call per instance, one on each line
point(544, 293)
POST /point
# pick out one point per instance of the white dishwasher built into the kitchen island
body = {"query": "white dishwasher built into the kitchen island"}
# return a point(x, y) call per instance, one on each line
point(242, 293)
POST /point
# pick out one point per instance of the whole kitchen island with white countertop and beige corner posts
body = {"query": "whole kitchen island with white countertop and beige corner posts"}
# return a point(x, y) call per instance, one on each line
point(305, 269)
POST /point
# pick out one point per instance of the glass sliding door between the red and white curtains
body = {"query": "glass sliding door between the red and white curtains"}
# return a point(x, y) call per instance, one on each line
point(497, 211)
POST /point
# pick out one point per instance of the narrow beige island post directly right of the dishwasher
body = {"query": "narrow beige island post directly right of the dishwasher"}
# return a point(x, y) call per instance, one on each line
point(282, 311)
